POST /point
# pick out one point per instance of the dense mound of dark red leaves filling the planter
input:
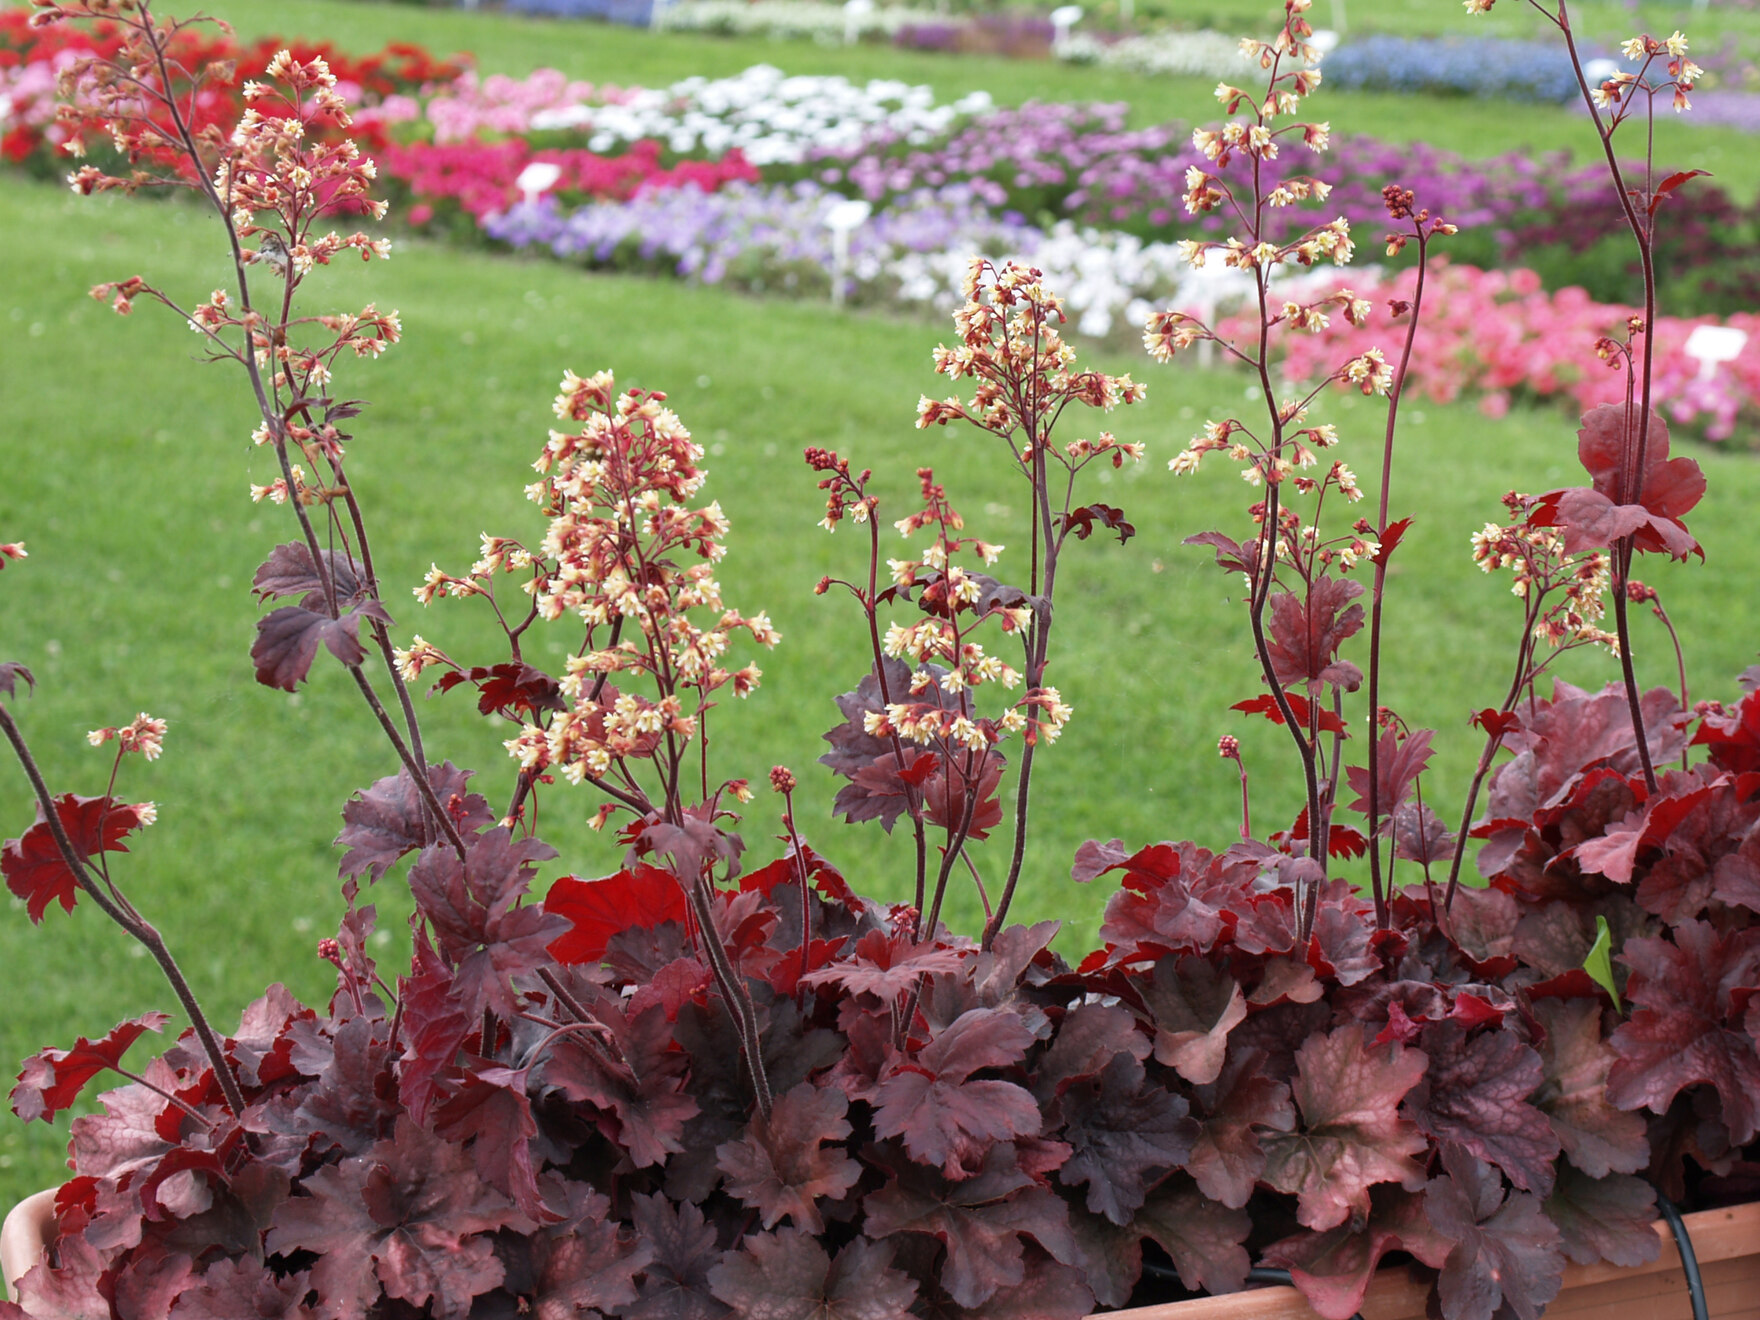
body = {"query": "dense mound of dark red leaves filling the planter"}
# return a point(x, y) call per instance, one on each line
point(555, 1117)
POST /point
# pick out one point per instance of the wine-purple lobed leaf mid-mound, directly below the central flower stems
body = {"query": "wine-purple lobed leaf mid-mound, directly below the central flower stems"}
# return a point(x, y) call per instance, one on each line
point(946, 1118)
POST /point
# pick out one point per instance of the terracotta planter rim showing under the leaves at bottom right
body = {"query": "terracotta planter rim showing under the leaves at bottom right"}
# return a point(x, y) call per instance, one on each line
point(1717, 1235)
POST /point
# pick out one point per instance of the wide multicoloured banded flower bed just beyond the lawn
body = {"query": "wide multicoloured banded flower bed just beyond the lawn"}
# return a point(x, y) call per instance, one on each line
point(950, 179)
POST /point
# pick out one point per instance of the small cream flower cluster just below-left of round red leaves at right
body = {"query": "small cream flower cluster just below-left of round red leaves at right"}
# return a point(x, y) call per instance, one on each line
point(1543, 569)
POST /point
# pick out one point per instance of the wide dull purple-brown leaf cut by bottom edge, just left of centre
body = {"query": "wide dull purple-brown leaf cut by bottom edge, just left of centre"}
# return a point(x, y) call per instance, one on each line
point(791, 1277)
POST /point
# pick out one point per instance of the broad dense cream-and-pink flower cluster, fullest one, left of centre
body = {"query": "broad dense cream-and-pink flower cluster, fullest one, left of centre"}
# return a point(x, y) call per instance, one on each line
point(617, 495)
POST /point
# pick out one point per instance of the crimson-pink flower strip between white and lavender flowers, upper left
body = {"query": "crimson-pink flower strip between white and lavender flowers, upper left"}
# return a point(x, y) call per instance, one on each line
point(480, 177)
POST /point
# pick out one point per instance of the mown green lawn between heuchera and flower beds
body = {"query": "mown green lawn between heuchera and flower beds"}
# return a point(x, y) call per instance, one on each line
point(126, 469)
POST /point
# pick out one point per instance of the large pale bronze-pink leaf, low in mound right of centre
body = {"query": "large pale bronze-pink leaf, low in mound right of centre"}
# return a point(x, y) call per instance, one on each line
point(1353, 1136)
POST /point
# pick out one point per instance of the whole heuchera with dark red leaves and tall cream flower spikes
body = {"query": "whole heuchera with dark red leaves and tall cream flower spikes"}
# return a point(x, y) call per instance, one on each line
point(703, 1087)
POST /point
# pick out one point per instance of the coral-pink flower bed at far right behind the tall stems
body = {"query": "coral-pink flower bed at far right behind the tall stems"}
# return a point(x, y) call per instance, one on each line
point(1502, 334)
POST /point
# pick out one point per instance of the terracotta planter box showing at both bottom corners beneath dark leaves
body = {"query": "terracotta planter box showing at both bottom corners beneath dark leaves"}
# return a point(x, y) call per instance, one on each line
point(1727, 1243)
